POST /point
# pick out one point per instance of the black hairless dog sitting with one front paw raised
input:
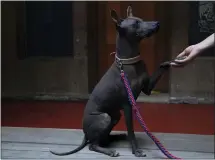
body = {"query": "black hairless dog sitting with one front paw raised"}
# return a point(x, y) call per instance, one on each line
point(102, 111)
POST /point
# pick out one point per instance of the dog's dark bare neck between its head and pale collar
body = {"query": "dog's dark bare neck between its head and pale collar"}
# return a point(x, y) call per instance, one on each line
point(126, 49)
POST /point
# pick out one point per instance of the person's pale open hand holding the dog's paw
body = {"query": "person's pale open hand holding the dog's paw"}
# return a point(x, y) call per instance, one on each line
point(185, 57)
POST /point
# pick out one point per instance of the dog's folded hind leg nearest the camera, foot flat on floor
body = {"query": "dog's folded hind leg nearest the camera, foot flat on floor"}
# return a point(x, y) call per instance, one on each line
point(98, 131)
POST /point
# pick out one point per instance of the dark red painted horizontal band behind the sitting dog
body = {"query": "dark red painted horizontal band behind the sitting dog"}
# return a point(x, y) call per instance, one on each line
point(166, 118)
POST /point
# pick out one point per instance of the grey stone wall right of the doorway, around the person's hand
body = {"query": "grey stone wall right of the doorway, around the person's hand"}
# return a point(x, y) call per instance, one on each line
point(196, 79)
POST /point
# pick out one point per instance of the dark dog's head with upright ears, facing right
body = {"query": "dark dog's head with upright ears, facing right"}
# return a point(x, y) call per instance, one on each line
point(133, 28)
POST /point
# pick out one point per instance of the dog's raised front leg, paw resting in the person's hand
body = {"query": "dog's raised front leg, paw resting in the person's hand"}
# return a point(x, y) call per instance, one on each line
point(152, 81)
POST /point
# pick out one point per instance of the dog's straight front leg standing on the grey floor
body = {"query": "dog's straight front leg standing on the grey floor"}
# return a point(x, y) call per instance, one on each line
point(130, 129)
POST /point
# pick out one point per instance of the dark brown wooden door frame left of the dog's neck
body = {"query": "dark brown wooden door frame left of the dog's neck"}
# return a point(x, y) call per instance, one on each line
point(96, 44)
